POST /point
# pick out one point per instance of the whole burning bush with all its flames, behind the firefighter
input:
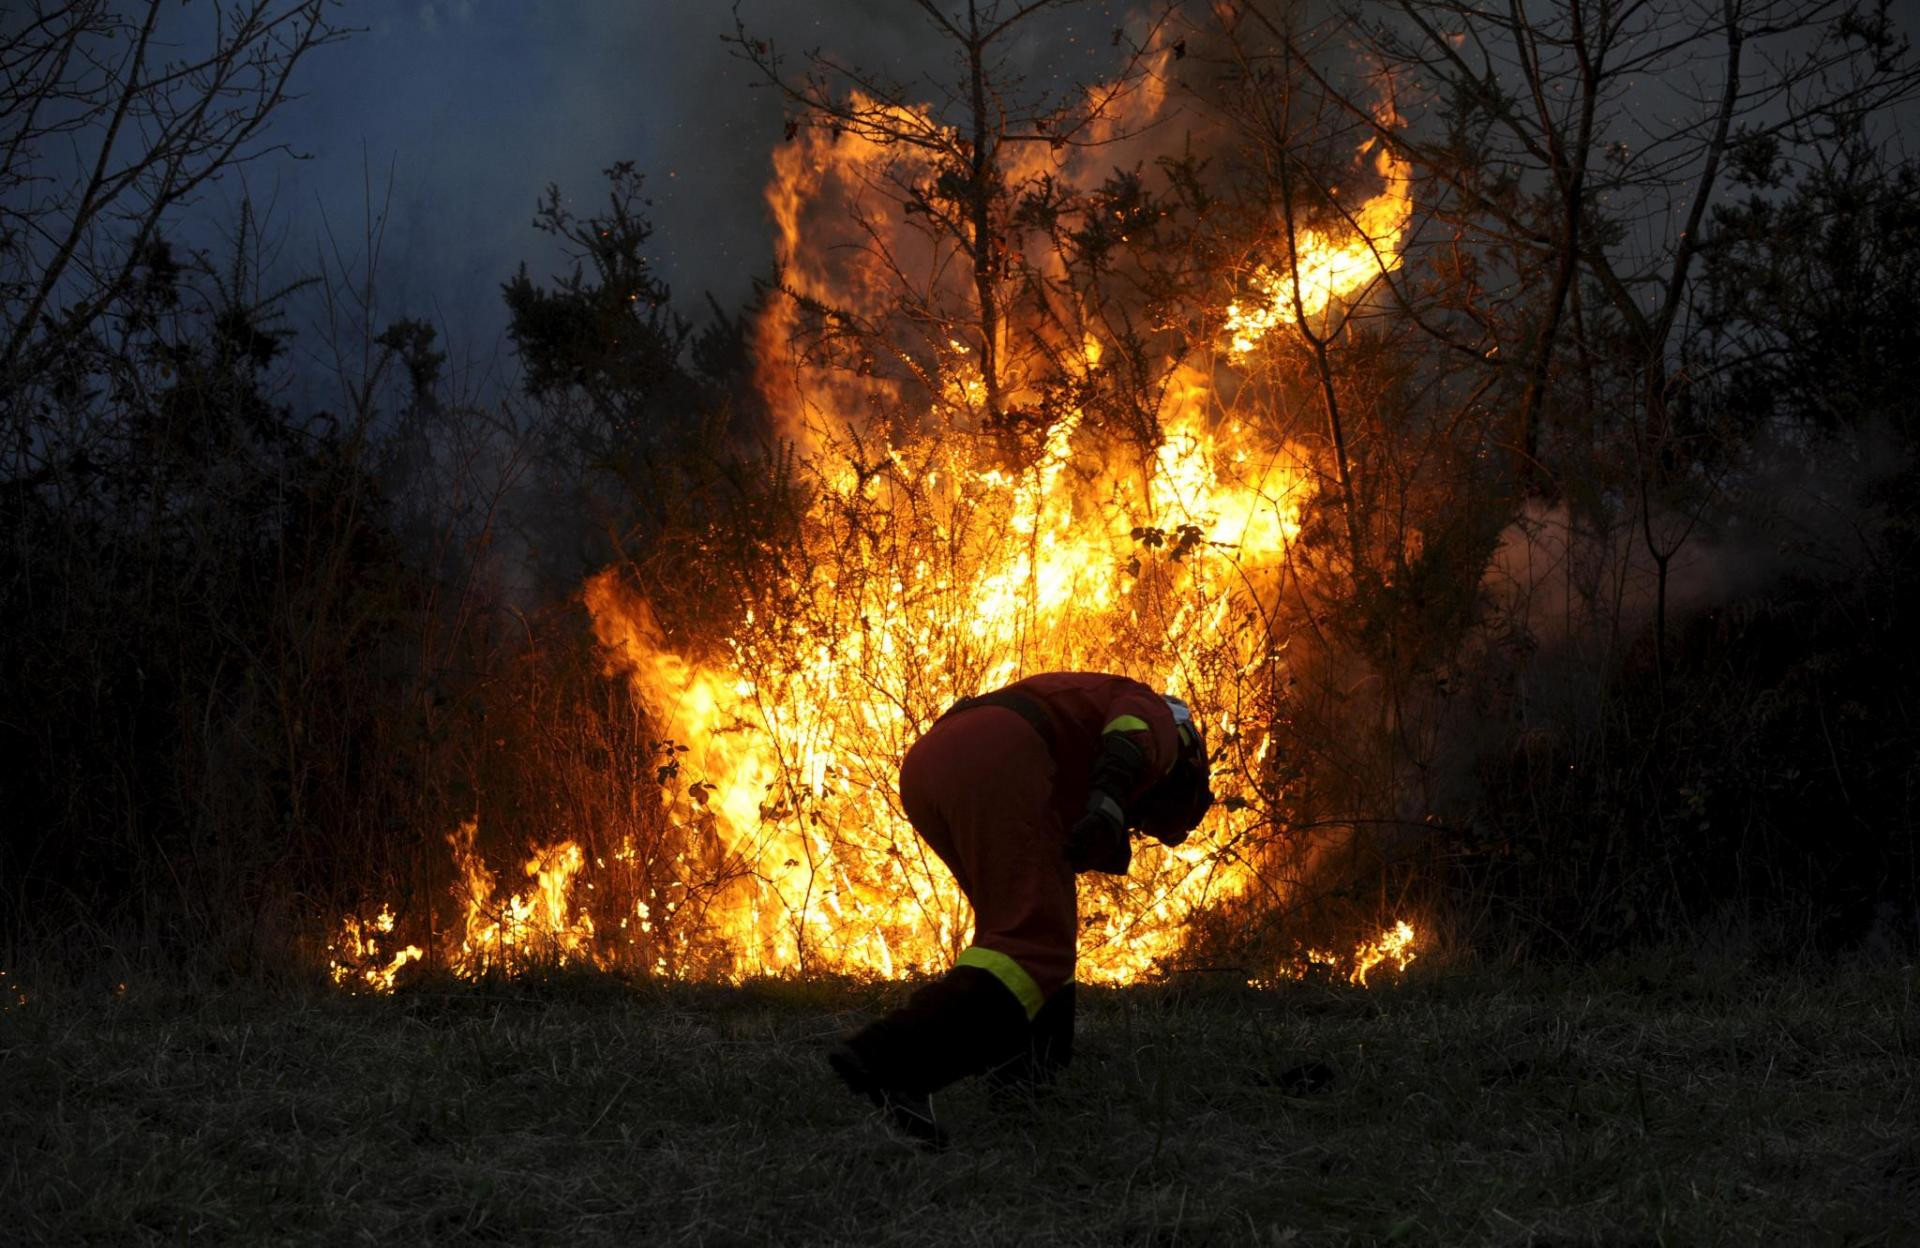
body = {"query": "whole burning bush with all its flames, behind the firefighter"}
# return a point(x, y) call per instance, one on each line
point(996, 473)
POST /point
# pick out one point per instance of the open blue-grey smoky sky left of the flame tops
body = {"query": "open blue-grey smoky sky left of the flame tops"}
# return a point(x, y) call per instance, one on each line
point(477, 105)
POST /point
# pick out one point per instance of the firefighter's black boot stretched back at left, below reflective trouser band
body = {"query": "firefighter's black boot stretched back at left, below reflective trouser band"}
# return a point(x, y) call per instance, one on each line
point(963, 1024)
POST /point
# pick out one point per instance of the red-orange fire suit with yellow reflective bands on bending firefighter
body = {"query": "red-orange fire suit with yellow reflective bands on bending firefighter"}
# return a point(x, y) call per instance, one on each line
point(994, 792)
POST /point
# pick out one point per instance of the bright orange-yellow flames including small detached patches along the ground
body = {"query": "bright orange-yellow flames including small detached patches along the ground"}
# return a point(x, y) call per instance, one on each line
point(928, 575)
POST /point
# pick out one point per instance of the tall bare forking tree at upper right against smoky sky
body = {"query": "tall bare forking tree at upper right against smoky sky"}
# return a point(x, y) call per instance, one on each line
point(1568, 164)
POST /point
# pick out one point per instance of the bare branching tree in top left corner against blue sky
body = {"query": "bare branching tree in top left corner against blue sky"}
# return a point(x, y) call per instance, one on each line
point(107, 126)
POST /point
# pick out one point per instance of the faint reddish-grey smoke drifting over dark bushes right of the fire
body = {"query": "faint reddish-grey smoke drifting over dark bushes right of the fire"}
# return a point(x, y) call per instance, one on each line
point(1572, 600)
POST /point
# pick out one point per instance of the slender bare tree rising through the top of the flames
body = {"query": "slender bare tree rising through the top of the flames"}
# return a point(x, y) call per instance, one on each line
point(974, 174)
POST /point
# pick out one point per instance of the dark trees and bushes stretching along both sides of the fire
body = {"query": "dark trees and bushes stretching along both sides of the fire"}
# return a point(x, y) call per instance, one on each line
point(258, 660)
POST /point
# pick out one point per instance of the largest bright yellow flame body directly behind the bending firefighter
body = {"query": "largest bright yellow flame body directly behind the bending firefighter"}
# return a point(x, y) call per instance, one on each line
point(982, 575)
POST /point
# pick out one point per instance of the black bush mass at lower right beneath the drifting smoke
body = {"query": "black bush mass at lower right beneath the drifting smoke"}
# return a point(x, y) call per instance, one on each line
point(1767, 788)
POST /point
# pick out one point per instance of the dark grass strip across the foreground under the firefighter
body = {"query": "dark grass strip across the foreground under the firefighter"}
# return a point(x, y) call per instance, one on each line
point(1660, 1101)
